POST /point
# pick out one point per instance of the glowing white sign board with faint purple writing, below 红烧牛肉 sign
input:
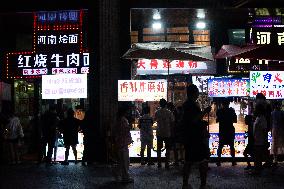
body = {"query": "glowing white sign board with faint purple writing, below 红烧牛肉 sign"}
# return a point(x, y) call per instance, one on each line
point(64, 86)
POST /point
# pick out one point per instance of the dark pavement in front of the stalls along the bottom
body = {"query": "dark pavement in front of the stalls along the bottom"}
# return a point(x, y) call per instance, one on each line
point(29, 175)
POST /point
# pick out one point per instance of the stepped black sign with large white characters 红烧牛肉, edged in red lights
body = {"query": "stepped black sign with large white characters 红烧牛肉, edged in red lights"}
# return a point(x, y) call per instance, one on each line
point(57, 48)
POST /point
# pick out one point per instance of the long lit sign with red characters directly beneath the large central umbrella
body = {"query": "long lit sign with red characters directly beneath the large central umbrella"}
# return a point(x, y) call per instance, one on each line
point(163, 67)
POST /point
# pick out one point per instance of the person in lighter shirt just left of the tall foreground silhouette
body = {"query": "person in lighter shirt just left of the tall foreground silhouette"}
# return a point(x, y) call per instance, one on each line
point(165, 120)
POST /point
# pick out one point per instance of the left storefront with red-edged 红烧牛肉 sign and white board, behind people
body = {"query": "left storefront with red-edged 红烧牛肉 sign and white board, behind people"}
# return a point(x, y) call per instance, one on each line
point(54, 71)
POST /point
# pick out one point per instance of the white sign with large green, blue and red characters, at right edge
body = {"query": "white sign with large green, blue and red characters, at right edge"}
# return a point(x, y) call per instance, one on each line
point(269, 83)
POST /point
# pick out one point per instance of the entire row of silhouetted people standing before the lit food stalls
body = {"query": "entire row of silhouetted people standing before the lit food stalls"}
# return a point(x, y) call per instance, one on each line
point(180, 130)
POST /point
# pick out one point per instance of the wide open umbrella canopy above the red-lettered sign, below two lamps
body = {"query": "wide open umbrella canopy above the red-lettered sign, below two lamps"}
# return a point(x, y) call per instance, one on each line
point(170, 51)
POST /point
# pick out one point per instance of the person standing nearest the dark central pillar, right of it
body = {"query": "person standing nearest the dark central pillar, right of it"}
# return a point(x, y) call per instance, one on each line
point(122, 140)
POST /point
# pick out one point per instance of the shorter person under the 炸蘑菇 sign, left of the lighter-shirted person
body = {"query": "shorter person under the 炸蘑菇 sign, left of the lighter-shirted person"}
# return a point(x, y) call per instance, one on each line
point(146, 135)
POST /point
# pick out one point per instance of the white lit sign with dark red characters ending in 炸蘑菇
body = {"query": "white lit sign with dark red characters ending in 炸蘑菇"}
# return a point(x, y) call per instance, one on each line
point(142, 90)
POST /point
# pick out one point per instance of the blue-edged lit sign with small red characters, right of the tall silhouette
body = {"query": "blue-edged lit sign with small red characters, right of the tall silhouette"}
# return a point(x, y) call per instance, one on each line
point(225, 87)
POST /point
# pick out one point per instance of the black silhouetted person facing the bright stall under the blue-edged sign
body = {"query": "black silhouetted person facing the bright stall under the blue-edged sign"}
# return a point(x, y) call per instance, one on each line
point(226, 116)
